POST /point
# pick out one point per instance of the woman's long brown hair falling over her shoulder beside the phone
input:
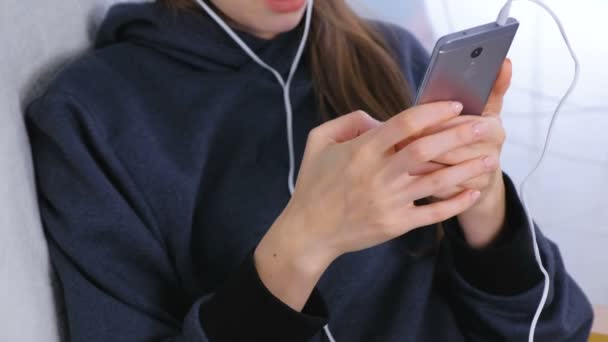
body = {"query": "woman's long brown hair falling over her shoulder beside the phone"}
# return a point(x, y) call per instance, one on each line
point(352, 67)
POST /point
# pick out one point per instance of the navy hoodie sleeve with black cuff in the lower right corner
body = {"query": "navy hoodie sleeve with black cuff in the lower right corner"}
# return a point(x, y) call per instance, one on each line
point(494, 292)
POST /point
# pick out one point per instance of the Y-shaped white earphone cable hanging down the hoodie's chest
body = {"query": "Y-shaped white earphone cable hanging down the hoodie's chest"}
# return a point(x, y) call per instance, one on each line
point(284, 84)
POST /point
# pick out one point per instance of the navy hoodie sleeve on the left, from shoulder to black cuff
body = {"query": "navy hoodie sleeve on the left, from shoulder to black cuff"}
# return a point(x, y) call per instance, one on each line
point(116, 276)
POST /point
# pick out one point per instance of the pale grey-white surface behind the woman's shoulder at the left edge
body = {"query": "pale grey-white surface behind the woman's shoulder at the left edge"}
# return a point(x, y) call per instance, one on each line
point(37, 37)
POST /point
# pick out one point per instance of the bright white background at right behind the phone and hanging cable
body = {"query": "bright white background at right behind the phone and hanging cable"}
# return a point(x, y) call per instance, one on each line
point(568, 193)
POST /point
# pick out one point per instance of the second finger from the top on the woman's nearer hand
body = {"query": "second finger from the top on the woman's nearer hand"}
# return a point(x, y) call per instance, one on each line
point(430, 147)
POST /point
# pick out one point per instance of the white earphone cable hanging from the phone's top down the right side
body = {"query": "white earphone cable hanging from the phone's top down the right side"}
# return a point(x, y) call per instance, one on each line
point(501, 20)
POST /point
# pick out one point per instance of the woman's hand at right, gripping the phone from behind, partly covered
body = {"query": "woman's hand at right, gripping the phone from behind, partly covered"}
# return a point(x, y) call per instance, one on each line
point(483, 222)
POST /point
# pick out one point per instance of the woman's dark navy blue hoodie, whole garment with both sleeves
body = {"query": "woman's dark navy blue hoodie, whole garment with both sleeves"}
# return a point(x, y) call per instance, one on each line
point(161, 162)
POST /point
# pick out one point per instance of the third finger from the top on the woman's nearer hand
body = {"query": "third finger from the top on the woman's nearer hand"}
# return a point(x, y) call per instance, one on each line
point(448, 177)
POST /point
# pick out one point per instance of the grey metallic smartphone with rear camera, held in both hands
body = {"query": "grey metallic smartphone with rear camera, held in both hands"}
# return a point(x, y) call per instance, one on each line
point(464, 65)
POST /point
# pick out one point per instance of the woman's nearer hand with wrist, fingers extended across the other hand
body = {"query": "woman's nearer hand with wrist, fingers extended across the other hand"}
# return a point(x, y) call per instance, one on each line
point(354, 191)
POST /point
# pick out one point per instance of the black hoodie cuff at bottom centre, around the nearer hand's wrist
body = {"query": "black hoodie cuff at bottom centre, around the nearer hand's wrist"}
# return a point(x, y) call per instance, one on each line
point(245, 310)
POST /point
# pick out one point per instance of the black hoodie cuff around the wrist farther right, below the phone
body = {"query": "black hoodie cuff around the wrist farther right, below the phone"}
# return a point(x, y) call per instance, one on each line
point(506, 267)
